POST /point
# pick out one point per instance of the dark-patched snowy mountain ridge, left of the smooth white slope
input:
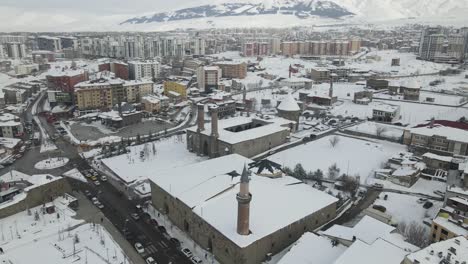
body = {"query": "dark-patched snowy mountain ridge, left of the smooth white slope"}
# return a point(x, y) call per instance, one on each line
point(298, 8)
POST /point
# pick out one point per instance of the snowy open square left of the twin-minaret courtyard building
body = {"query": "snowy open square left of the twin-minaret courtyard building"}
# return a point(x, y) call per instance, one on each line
point(151, 158)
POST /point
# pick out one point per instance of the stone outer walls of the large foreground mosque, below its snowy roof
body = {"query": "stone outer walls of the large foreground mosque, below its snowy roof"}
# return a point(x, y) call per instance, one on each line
point(226, 251)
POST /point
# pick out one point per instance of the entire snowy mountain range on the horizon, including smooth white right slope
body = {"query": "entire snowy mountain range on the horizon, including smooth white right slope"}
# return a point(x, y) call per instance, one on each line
point(370, 10)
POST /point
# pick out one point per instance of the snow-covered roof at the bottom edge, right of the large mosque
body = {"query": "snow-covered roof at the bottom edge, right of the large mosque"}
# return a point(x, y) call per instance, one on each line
point(380, 251)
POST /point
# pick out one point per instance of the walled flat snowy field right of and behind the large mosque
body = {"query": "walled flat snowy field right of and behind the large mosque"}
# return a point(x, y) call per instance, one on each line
point(321, 155)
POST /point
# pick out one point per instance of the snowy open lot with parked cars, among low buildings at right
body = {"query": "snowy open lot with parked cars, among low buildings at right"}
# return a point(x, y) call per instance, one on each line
point(404, 208)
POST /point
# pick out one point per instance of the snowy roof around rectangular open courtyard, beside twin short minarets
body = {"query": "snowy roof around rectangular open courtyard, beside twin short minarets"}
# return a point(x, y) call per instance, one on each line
point(270, 126)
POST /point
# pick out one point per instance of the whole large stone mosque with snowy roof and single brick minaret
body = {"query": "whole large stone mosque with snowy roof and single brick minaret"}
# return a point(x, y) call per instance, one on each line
point(239, 235)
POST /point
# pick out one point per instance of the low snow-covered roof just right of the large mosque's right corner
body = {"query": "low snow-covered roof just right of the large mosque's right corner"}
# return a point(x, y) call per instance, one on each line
point(367, 230)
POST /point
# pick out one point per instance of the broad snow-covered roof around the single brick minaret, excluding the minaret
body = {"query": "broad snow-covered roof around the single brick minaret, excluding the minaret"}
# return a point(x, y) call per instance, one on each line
point(211, 193)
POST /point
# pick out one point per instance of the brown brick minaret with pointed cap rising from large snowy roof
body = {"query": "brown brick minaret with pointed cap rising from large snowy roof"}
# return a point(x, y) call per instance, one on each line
point(243, 204)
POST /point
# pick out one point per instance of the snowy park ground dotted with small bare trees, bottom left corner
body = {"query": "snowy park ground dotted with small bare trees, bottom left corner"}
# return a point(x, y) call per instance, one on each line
point(58, 238)
